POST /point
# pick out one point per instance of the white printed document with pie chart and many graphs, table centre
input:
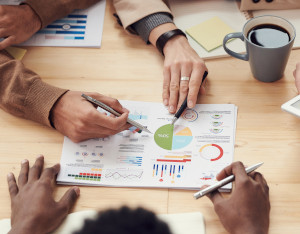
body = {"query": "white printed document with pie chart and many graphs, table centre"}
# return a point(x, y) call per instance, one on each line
point(187, 155)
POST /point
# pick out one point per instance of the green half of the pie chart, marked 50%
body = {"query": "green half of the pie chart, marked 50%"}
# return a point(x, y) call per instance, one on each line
point(164, 136)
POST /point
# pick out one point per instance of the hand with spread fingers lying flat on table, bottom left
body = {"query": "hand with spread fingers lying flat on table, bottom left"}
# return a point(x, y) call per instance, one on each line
point(33, 208)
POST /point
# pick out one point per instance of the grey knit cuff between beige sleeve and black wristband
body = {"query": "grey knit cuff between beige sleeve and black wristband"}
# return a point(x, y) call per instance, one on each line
point(144, 26)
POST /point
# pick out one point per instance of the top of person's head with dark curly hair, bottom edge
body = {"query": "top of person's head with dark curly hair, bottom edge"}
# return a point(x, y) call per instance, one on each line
point(125, 221)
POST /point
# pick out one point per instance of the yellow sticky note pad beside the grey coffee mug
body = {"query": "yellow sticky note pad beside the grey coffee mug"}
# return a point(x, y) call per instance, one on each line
point(210, 33)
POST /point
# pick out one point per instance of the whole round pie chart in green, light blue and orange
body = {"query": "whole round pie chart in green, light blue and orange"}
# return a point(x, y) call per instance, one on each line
point(172, 137)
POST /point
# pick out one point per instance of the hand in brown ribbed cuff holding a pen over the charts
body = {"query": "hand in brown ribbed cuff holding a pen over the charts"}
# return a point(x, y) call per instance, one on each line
point(78, 119)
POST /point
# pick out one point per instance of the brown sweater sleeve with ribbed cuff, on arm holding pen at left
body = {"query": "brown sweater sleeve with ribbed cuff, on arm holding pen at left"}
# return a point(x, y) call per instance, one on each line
point(23, 93)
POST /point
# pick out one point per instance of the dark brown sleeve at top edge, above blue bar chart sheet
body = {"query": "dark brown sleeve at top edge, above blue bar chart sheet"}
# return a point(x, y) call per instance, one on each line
point(49, 11)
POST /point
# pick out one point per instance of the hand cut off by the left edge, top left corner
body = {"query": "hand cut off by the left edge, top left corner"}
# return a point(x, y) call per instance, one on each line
point(17, 24)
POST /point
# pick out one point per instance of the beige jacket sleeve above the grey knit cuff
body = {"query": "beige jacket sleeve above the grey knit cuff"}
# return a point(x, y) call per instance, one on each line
point(131, 11)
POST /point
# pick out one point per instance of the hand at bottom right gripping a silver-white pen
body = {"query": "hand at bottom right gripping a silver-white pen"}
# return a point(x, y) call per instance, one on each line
point(247, 210)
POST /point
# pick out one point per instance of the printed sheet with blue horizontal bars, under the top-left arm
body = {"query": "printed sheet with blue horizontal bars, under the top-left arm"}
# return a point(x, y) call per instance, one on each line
point(82, 28)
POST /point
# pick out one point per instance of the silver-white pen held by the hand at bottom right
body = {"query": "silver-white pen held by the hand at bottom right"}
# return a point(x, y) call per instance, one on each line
point(223, 182)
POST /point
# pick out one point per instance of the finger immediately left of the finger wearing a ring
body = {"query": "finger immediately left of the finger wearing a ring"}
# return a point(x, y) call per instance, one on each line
point(174, 88)
